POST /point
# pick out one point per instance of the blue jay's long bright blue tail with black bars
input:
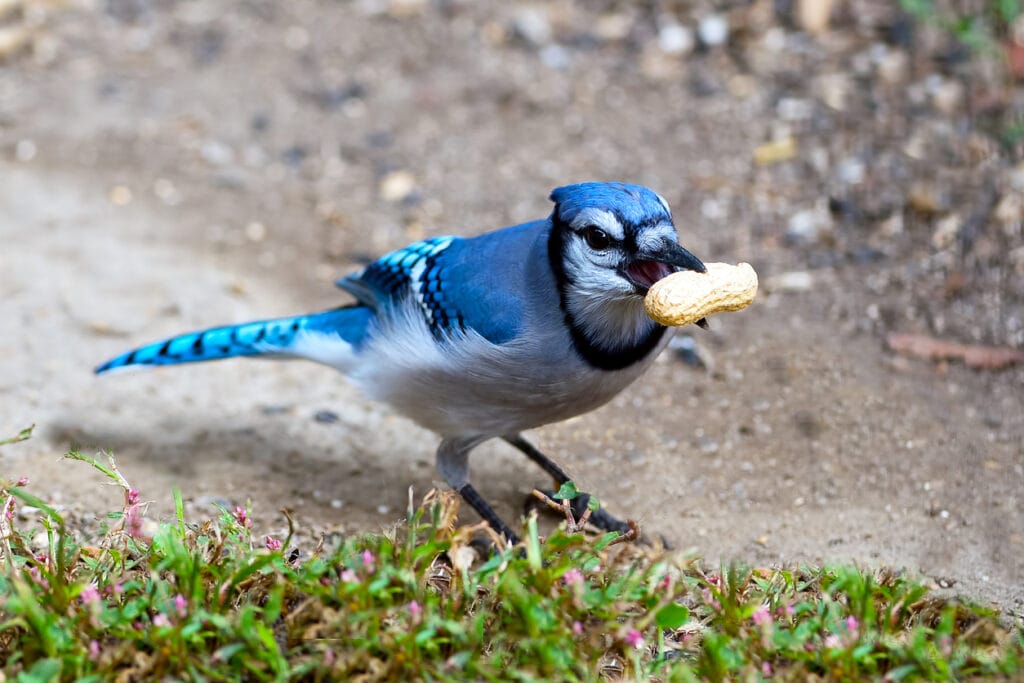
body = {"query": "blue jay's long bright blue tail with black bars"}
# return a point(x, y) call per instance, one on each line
point(274, 337)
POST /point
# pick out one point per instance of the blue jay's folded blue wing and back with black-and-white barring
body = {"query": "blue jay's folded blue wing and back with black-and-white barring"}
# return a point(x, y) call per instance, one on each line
point(459, 284)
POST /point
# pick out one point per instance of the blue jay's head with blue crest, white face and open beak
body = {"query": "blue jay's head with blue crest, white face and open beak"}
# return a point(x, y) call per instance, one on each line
point(615, 240)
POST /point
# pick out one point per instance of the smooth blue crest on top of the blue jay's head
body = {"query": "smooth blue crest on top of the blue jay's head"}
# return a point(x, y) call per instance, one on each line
point(633, 204)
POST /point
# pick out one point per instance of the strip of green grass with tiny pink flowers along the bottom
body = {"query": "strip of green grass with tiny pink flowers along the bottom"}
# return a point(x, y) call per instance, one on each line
point(212, 602)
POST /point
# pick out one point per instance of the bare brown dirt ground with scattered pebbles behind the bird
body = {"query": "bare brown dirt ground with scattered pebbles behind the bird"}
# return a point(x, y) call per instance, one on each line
point(166, 166)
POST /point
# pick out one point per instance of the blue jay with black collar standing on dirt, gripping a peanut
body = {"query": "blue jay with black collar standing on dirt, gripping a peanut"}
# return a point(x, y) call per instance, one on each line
point(485, 337)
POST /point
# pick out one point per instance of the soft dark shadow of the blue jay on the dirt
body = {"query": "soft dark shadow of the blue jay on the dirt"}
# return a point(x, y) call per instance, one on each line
point(210, 460)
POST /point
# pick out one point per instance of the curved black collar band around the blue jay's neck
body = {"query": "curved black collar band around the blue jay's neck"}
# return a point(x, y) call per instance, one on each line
point(599, 357)
